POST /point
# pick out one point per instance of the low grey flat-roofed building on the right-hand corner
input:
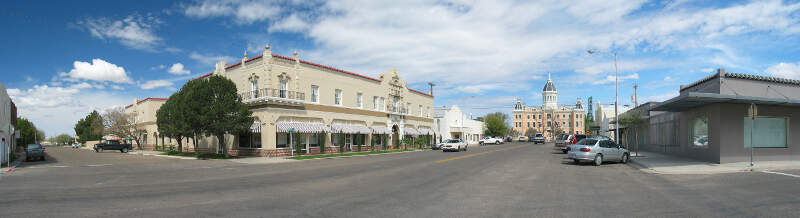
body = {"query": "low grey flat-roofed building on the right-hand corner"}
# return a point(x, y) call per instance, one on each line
point(710, 120)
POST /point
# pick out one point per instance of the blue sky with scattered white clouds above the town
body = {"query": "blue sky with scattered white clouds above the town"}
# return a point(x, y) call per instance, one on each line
point(63, 59)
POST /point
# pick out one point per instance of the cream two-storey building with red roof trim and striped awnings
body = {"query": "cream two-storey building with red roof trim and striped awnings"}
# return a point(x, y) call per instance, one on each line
point(321, 104)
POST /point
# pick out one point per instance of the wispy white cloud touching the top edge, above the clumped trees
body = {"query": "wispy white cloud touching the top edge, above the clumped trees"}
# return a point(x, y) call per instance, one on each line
point(244, 11)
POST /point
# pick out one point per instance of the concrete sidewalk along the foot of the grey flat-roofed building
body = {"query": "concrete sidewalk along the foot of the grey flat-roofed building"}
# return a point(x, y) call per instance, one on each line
point(666, 164)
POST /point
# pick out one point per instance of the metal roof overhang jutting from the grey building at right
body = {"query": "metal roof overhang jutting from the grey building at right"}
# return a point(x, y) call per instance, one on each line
point(691, 100)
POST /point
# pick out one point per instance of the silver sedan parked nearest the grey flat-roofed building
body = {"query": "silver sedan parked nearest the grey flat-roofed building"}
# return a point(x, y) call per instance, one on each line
point(598, 150)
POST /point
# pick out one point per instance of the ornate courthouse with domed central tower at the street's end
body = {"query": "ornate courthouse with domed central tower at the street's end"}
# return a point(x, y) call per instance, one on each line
point(550, 116)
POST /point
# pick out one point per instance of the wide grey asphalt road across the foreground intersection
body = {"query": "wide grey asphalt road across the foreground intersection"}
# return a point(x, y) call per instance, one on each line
point(510, 180)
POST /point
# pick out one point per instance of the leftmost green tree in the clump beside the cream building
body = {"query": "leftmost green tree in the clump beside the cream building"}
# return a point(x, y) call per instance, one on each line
point(172, 118)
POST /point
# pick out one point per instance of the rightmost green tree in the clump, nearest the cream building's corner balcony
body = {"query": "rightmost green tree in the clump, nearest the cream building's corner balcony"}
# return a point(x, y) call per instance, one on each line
point(225, 114)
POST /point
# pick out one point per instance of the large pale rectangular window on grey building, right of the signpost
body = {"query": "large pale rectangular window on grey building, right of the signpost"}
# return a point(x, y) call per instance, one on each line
point(768, 132)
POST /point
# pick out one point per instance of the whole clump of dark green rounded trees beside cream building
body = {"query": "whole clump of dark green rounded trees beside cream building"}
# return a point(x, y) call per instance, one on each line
point(204, 107)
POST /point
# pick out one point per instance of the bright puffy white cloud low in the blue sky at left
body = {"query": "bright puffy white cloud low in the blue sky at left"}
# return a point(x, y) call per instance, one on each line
point(99, 70)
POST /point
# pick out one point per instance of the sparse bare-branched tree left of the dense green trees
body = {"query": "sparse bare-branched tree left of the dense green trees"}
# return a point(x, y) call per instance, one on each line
point(118, 123)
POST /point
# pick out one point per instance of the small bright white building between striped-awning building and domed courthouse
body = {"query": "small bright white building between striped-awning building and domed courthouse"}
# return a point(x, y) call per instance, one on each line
point(452, 123)
